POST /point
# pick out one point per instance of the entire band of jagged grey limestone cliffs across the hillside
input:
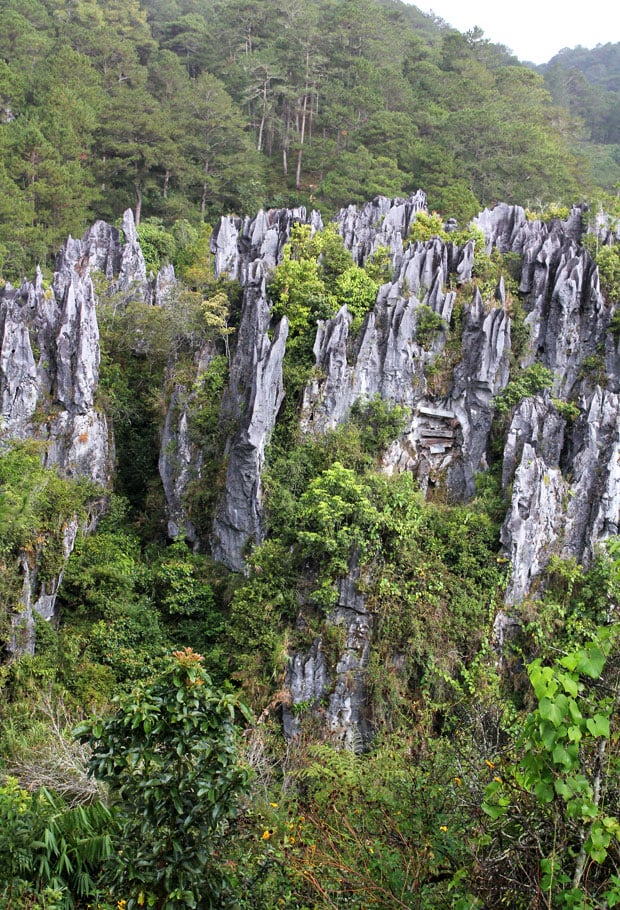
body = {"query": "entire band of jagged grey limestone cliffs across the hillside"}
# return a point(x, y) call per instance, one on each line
point(559, 447)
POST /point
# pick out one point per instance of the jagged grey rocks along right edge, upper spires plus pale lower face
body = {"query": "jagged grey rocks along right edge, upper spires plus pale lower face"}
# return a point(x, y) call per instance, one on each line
point(565, 496)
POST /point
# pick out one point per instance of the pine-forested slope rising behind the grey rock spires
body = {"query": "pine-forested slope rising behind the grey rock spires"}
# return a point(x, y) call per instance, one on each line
point(185, 109)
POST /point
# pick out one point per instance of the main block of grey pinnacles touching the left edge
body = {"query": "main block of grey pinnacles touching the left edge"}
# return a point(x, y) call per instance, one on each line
point(51, 396)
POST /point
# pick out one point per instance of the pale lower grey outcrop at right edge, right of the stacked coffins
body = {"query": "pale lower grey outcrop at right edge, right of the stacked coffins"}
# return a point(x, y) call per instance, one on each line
point(566, 485)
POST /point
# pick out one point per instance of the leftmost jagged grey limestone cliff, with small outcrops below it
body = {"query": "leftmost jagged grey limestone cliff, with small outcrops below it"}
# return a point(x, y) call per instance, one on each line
point(49, 375)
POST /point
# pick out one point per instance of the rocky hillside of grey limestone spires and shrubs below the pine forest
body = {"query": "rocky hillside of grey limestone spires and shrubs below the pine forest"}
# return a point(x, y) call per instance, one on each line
point(368, 470)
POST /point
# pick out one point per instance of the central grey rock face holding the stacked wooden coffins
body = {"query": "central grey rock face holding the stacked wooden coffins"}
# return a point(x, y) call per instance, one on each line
point(390, 361)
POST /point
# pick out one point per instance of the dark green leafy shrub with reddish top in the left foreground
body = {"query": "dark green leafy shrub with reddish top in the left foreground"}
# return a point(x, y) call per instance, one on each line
point(170, 757)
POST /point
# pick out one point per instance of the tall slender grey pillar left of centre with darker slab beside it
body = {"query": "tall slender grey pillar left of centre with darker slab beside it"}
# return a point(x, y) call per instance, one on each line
point(246, 250)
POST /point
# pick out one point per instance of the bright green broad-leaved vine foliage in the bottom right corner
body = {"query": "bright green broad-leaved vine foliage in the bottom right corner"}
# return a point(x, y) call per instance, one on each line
point(558, 803)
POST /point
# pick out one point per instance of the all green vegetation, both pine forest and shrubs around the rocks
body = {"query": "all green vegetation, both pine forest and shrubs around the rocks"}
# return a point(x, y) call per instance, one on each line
point(143, 762)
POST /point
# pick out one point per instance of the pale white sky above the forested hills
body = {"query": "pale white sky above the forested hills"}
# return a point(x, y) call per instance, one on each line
point(534, 30)
